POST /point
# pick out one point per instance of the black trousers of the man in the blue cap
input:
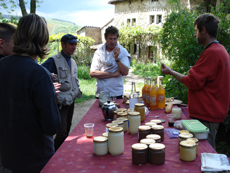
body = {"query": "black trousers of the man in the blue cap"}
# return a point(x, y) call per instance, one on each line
point(66, 113)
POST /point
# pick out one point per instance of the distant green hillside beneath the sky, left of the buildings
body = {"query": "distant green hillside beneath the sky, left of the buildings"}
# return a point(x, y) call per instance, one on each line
point(56, 26)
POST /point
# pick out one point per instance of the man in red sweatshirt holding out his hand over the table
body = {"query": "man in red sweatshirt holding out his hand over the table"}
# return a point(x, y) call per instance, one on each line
point(208, 80)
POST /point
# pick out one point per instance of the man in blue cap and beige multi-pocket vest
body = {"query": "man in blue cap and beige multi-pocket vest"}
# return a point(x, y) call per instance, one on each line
point(64, 69)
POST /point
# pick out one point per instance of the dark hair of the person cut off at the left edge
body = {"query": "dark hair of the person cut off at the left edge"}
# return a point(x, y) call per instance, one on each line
point(6, 31)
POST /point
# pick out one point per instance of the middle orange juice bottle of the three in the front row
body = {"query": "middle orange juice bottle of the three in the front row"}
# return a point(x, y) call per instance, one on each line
point(153, 95)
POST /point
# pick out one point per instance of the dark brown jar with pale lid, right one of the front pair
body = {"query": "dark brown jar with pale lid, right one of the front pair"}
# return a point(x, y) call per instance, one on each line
point(157, 154)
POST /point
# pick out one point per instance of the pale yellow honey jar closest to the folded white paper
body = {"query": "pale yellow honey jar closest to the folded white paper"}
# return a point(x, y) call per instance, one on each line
point(187, 151)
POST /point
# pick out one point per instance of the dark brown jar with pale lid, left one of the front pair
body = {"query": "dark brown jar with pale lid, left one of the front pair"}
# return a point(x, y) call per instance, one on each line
point(139, 154)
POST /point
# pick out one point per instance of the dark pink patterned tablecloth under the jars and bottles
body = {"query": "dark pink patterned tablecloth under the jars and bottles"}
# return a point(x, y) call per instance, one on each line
point(76, 154)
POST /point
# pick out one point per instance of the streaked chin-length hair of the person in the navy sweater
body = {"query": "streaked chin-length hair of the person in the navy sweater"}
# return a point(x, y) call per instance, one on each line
point(31, 36)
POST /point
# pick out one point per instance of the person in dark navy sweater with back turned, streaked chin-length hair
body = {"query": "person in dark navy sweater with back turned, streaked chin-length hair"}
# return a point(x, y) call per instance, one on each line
point(29, 115)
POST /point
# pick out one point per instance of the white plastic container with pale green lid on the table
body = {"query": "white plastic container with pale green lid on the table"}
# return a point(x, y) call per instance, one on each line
point(195, 127)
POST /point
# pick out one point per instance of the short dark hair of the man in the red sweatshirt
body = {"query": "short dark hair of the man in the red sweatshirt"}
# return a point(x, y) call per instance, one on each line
point(210, 22)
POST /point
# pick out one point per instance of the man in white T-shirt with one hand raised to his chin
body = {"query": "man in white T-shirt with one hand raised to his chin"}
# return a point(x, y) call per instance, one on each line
point(110, 62)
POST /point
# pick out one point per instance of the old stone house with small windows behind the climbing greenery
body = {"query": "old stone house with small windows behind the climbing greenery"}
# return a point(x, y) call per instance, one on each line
point(139, 12)
